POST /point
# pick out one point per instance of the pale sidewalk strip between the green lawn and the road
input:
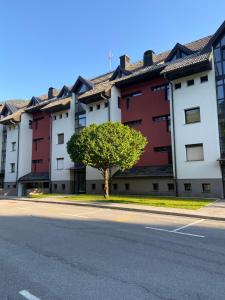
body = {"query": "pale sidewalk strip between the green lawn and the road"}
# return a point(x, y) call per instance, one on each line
point(214, 211)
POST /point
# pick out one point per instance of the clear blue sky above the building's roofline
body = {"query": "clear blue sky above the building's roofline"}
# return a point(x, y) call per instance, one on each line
point(50, 42)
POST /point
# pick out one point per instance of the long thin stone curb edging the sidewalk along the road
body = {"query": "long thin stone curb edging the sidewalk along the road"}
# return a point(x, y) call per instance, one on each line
point(150, 211)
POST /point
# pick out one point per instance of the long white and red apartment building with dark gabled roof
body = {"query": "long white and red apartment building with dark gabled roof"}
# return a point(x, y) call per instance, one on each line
point(175, 98)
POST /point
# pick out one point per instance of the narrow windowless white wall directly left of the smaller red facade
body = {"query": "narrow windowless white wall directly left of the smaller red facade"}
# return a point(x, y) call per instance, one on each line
point(25, 145)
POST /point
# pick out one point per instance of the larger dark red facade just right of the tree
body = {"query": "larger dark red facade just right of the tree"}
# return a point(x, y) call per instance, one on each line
point(147, 104)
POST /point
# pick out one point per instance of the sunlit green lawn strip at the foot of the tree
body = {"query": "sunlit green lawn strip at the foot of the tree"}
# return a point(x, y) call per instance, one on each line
point(142, 200)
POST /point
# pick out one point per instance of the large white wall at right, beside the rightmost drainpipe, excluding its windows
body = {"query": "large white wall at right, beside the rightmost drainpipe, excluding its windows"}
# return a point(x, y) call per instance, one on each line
point(205, 132)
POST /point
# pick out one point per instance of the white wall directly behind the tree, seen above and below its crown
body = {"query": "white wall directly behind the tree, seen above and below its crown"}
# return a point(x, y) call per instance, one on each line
point(101, 116)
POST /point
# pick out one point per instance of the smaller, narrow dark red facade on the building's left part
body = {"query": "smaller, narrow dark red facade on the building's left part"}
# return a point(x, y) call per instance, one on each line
point(41, 142)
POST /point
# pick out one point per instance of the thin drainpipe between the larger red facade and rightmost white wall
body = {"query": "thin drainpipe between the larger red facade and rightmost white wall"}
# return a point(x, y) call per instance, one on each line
point(173, 138)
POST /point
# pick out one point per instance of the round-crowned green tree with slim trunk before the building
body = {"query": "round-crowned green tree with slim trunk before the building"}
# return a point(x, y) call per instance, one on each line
point(105, 146)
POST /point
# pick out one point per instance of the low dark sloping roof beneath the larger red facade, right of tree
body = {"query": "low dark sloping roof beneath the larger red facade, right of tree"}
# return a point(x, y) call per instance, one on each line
point(151, 171)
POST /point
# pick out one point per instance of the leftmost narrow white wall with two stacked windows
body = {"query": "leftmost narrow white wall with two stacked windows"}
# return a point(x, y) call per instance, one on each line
point(11, 156)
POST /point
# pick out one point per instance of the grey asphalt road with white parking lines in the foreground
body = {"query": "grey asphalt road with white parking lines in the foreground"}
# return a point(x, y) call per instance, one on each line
point(50, 251)
